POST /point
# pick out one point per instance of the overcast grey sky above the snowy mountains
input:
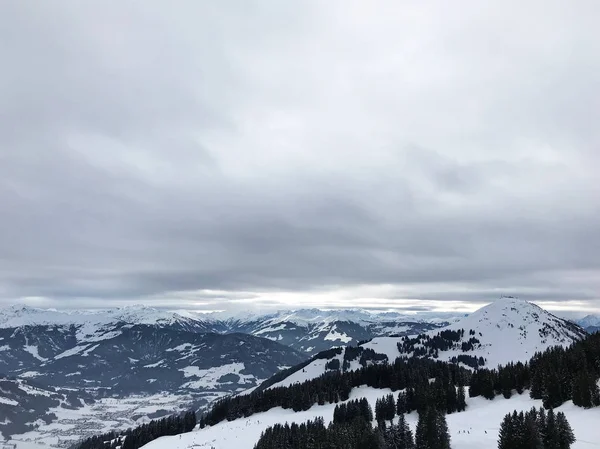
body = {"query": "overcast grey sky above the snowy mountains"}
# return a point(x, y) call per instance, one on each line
point(236, 154)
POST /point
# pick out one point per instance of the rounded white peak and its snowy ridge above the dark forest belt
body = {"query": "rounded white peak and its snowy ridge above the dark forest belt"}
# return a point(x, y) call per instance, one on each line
point(506, 330)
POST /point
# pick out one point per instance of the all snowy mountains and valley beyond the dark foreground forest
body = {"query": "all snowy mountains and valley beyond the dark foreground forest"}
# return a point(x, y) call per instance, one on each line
point(161, 362)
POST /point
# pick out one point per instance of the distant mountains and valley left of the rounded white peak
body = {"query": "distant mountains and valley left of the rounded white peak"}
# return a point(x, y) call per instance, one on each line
point(140, 354)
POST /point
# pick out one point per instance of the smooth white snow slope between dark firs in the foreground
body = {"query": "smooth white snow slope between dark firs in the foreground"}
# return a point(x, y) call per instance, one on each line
point(475, 428)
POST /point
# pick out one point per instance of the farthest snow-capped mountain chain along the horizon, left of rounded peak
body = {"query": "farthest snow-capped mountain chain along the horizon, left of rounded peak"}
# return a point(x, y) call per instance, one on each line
point(308, 331)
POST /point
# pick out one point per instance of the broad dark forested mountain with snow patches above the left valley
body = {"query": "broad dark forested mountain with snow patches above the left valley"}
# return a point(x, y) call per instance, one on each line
point(135, 359)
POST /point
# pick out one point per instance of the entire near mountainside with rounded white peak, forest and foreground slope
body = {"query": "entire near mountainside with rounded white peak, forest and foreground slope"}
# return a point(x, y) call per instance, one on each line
point(413, 372)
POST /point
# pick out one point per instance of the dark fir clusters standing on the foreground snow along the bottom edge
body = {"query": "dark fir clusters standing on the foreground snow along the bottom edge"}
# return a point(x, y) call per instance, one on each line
point(352, 428)
